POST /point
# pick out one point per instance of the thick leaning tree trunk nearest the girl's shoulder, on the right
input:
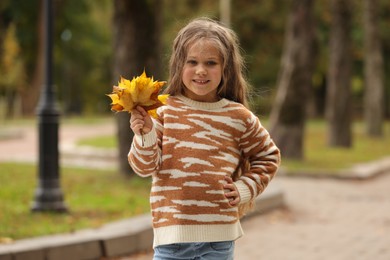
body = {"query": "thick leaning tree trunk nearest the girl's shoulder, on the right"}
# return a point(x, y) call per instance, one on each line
point(288, 114)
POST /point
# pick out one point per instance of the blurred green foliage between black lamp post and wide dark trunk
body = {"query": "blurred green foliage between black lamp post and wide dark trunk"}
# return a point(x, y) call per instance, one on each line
point(83, 53)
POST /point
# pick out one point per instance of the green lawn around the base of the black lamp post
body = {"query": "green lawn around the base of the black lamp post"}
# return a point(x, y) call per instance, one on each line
point(94, 197)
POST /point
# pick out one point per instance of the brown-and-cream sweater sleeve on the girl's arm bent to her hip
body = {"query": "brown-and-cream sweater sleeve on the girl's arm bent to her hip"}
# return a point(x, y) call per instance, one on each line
point(263, 157)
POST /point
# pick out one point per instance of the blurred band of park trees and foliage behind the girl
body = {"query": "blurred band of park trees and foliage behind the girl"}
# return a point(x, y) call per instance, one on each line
point(329, 59)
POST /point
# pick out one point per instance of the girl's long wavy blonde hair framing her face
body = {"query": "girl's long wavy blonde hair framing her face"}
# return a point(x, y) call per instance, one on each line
point(233, 85)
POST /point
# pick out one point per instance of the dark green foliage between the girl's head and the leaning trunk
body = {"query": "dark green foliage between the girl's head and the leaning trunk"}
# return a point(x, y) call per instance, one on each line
point(260, 26)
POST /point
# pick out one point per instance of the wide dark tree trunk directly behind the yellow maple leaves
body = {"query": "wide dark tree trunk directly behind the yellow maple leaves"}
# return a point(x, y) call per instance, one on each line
point(136, 47)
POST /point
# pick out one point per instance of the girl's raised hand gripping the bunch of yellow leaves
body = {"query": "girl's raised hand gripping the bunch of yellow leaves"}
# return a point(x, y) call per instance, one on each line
point(140, 121)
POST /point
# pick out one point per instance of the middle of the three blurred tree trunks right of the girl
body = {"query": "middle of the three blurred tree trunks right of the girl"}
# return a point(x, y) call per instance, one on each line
point(339, 107)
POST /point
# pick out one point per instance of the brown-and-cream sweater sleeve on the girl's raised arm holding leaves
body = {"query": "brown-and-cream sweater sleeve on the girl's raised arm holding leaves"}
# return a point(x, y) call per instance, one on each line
point(144, 155)
